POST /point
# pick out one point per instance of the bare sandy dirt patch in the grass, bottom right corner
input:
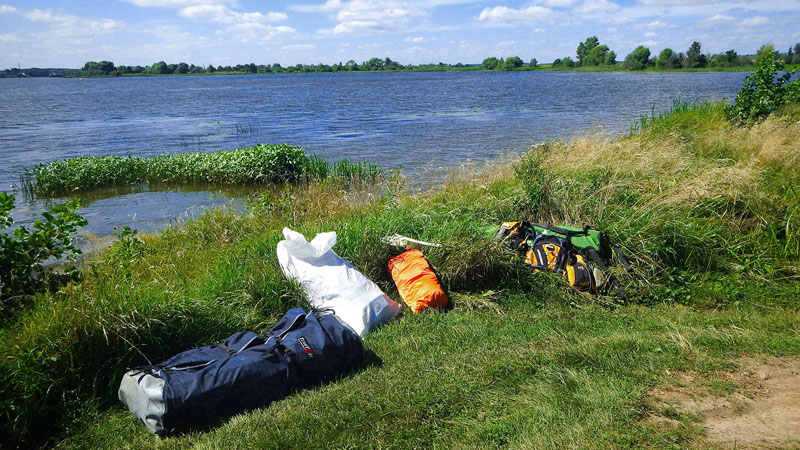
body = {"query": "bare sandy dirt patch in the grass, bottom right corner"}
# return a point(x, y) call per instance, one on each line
point(755, 406)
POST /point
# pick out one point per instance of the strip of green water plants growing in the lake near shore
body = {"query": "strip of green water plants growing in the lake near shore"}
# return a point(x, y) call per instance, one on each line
point(262, 164)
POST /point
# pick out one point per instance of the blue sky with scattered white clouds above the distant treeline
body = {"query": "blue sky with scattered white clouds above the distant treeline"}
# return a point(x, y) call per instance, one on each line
point(37, 33)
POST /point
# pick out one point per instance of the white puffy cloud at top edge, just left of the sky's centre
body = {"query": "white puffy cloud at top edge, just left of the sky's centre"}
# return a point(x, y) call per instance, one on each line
point(360, 16)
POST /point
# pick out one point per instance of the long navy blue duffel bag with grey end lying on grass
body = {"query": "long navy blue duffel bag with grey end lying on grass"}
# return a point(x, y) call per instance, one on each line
point(247, 370)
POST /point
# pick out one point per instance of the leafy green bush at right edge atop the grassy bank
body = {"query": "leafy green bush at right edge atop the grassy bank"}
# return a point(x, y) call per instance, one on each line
point(763, 91)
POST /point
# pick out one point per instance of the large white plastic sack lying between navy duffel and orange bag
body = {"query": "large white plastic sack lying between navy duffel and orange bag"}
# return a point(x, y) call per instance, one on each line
point(330, 282)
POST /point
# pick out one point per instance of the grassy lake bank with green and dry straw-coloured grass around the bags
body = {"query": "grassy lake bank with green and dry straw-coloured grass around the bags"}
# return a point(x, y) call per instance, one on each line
point(708, 212)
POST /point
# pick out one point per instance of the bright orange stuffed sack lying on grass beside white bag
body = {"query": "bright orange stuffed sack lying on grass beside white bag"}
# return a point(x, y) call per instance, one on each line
point(416, 282)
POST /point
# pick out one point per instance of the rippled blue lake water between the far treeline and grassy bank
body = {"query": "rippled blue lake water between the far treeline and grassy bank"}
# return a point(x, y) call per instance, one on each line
point(424, 123)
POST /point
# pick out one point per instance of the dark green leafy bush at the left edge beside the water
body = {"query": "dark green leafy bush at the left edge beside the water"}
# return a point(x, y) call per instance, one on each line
point(23, 252)
